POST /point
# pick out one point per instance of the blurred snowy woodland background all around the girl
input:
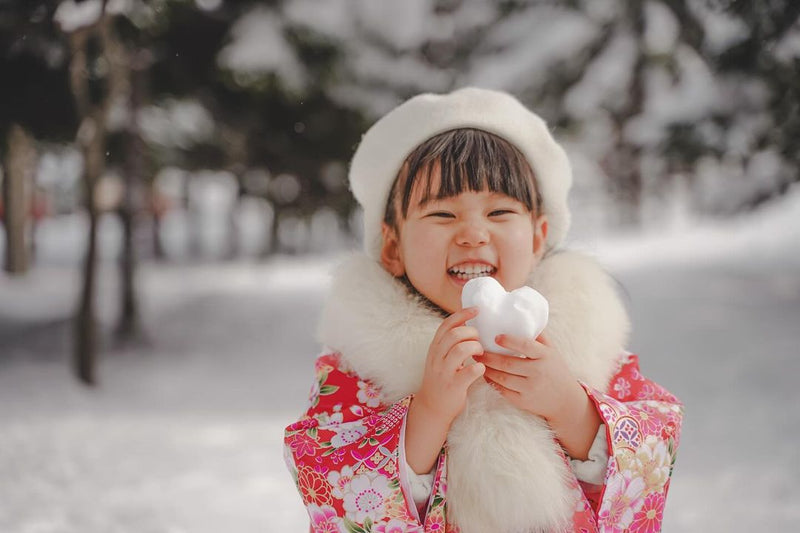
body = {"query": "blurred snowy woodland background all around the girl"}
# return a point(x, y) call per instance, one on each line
point(174, 196)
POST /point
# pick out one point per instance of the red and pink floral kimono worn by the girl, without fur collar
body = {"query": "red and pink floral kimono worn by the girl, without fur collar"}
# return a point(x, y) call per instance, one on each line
point(343, 455)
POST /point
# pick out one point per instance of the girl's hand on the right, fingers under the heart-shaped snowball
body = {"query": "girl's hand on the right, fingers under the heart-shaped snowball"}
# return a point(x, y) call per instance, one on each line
point(540, 382)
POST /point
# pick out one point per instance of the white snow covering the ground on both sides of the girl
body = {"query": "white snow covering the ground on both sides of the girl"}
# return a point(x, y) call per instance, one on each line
point(184, 435)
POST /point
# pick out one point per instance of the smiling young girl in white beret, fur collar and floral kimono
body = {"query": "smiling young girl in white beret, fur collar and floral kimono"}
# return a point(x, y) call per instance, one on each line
point(412, 425)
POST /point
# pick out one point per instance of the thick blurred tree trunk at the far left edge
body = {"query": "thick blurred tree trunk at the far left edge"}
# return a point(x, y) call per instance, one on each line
point(20, 163)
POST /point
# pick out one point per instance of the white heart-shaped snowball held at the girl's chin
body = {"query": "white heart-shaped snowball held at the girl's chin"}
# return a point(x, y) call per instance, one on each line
point(521, 312)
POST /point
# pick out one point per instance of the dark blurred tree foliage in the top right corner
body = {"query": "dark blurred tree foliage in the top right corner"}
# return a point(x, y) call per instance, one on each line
point(765, 60)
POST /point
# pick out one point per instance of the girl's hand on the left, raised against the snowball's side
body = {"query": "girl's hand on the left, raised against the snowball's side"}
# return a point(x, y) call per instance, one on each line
point(448, 375)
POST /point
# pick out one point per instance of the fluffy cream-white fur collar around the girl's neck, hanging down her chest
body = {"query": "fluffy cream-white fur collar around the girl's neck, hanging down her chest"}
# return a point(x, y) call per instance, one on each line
point(505, 472)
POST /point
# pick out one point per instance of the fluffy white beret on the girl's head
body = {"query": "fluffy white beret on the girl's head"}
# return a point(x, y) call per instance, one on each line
point(389, 141)
